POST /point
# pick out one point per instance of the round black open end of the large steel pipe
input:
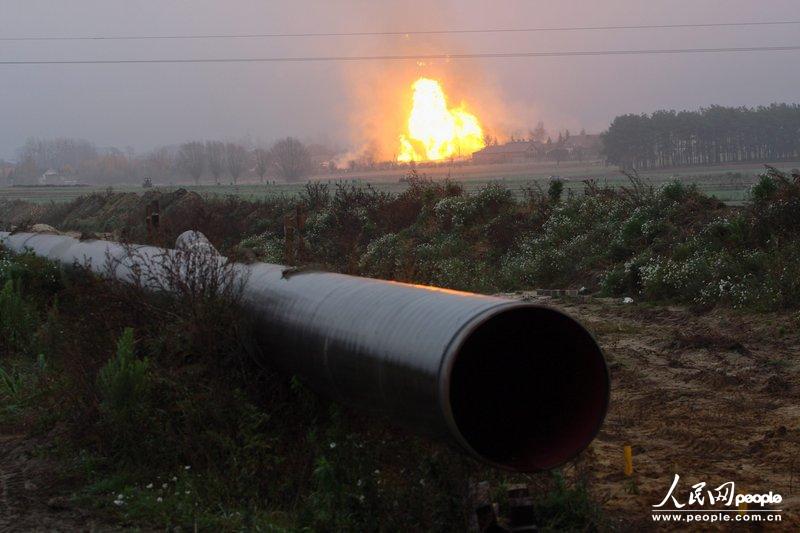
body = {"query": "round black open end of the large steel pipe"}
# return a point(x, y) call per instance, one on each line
point(529, 389)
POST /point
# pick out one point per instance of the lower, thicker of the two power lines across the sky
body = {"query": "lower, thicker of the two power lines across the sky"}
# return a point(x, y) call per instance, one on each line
point(424, 57)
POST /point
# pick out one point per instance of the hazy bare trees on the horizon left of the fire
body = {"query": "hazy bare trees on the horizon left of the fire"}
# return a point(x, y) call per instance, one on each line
point(218, 161)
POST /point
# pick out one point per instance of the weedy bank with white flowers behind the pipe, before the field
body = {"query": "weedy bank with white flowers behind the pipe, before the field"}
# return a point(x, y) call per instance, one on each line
point(667, 243)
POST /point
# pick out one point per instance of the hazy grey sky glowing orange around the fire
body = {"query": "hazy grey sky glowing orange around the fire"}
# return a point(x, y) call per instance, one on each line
point(347, 104)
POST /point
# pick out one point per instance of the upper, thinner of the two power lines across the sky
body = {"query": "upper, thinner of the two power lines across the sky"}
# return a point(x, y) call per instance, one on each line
point(401, 33)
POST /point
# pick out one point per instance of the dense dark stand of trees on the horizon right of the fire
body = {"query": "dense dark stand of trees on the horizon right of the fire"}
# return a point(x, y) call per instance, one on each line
point(712, 135)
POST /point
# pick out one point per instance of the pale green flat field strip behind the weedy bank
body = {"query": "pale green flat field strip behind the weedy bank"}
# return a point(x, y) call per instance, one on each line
point(729, 183)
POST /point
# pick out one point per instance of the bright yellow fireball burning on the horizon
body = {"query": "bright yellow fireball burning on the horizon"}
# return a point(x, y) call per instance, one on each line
point(436, 132)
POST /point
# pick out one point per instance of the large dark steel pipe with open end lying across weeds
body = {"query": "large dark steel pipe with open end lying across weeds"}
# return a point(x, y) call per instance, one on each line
point(517, 385)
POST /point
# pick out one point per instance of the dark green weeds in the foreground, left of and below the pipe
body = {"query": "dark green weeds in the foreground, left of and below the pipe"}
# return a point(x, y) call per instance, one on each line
point(162, 418)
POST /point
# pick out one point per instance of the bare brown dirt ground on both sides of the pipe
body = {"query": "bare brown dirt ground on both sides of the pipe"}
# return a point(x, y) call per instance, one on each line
point(710, 396)
